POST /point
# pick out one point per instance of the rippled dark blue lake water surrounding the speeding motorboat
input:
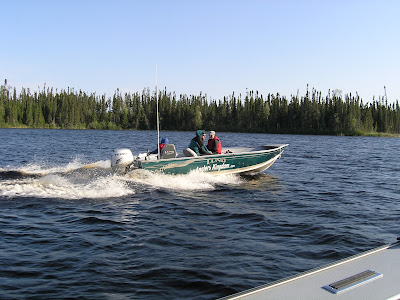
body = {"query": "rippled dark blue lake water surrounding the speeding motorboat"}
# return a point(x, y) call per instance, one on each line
point(71, 228)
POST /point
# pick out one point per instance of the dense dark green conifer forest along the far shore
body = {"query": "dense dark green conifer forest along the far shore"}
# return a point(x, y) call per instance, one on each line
point(312, 113)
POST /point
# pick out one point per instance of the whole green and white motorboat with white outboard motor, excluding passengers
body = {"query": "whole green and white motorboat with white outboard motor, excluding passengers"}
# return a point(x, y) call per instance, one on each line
point(236, 160)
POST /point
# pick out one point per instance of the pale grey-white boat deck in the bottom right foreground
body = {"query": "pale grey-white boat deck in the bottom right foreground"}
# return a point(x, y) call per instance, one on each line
point(314, 284)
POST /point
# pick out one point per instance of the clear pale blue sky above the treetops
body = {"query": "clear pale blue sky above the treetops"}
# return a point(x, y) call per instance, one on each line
point(213, 47)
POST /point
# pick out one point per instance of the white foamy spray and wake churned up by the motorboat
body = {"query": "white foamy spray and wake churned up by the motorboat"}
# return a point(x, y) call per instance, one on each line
point(78, 180)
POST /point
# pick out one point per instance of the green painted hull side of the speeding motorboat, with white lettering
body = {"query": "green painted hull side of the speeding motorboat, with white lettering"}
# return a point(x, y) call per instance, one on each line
point(230, 163)
